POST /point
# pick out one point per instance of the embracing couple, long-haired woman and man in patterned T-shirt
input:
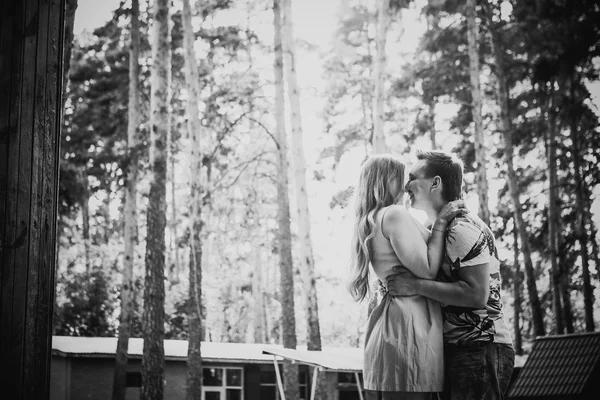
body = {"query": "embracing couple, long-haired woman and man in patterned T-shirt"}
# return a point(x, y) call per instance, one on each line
point(439, 328)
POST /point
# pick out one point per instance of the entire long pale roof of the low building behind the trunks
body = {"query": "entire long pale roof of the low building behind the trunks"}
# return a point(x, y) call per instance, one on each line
point(339, 359)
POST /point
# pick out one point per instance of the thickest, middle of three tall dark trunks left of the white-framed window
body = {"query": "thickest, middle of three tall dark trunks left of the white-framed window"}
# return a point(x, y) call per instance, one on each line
point(153, 374)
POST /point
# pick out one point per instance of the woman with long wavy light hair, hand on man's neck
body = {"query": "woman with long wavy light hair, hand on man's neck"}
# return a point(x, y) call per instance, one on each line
point(403, 357)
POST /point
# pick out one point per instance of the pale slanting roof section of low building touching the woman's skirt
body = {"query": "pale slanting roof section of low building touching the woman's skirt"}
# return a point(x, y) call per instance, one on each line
point(335, 359)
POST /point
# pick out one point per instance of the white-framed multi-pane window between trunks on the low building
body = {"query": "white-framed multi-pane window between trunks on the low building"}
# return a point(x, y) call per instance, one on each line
point(220, 383)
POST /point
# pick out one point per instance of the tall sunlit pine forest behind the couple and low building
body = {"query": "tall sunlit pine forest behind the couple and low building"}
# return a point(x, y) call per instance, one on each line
point(209, 154)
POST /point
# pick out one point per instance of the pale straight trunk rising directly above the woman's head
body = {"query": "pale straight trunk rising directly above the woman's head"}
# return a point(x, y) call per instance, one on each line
point(383, 23)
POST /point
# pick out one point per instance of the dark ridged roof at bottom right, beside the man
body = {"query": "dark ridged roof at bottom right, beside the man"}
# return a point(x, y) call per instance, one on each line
point(558, 366)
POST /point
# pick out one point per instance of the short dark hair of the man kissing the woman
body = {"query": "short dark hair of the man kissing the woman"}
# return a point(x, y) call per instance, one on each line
point(448, 167)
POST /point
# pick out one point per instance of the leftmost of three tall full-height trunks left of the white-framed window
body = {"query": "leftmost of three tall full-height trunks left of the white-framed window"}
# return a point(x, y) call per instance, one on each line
point(130, 228)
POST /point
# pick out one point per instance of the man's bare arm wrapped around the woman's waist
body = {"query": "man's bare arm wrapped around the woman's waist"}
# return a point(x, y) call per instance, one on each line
point(471, 290)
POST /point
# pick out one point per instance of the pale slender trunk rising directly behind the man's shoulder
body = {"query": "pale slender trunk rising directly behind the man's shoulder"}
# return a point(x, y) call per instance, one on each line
point(480, 153)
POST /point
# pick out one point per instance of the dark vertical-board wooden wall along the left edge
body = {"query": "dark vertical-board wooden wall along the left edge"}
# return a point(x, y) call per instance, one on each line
point(31, 43)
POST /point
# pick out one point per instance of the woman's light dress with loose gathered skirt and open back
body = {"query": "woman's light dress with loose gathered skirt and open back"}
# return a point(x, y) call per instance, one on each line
point(403, 344)
